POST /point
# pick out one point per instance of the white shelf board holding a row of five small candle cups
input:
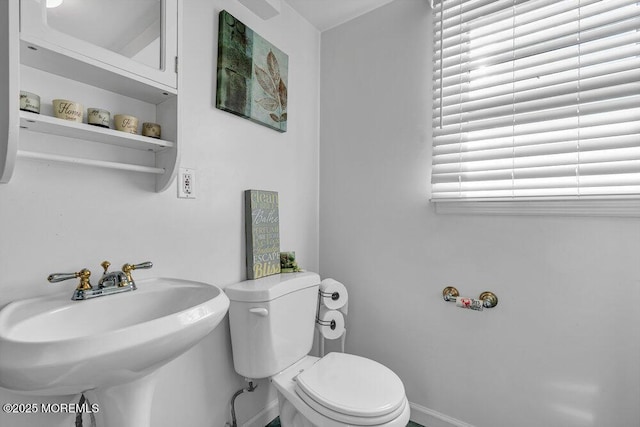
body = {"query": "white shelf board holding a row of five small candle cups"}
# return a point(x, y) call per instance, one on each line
point(54, 126)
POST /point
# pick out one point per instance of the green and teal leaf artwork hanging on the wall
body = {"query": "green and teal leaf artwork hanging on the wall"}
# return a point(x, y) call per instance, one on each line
point(252, 75)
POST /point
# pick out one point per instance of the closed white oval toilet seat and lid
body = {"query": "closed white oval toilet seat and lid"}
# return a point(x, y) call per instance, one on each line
point(352, 390)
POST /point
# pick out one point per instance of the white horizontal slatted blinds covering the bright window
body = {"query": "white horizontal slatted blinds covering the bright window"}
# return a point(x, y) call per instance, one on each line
point(536, 99)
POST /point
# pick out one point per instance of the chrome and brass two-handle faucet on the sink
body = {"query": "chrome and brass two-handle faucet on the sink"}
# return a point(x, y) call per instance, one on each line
point(110, 283)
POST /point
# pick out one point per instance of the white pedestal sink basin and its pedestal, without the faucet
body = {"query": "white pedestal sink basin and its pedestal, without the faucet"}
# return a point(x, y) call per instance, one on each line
point(112, 345)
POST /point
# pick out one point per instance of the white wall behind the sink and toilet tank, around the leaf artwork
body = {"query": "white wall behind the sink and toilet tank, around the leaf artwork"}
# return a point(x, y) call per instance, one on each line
point(56, 217)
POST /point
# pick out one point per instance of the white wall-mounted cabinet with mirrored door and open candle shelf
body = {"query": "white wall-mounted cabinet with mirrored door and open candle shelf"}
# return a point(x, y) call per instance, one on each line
point(89, 52)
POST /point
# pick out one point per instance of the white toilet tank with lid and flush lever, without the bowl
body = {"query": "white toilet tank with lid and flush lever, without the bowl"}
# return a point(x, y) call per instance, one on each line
point(272, 322)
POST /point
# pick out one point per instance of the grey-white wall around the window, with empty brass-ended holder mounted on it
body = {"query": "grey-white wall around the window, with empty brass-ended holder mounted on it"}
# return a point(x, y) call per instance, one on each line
point(562, 347)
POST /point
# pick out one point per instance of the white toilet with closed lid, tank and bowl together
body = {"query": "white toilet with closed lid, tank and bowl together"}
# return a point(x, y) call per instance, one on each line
point(272, 326)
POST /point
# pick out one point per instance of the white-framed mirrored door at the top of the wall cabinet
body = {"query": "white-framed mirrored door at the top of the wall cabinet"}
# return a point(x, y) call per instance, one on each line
point(138, 36)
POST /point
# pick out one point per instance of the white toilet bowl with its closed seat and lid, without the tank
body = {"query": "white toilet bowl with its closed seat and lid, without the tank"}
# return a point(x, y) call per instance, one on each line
point(340, 390)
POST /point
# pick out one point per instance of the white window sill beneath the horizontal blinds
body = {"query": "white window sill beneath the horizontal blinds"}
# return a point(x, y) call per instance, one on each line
point(629, 208)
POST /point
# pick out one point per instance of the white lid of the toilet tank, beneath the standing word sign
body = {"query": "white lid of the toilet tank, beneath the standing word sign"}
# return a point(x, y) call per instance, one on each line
point(271, 287)
